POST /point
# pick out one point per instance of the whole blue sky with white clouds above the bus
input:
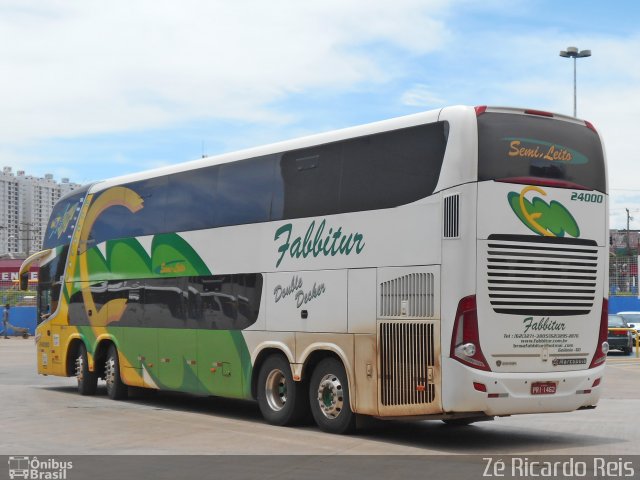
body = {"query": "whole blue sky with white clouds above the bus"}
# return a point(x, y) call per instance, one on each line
point(95, 89)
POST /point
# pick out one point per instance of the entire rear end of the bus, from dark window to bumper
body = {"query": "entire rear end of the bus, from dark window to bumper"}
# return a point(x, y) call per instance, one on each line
point(533, 337)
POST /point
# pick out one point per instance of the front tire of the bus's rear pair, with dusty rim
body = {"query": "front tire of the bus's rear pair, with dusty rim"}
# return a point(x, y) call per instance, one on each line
point(282, 401)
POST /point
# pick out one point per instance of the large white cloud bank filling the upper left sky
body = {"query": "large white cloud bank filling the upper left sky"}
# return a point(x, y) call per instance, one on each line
point(73, 68)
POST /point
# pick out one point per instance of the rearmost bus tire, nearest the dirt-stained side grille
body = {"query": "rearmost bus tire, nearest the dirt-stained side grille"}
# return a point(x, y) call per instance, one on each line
point(329, 398)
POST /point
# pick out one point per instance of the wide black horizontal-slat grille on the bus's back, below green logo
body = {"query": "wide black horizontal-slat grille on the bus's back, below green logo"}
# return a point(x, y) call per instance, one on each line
point(541, 276)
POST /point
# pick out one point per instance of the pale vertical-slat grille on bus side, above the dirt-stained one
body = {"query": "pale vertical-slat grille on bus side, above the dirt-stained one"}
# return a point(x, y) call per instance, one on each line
point(410, 295)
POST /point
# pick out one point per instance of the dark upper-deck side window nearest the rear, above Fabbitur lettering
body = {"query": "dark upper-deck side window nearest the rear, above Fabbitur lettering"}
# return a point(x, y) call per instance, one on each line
point(371, 172)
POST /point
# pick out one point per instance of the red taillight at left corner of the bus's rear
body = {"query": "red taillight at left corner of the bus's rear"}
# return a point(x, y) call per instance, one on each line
point(465, 343)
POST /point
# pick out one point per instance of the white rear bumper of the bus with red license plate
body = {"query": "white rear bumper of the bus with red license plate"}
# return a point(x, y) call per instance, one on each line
point(498, 394)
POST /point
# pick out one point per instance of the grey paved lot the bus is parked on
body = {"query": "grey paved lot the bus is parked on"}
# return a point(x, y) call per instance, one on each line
point(44, 415)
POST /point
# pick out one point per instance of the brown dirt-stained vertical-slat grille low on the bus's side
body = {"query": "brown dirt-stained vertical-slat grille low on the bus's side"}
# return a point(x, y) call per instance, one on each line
point(407, 360)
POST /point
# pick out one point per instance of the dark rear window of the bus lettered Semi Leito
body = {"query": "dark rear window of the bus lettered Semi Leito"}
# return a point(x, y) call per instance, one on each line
point(521, 146)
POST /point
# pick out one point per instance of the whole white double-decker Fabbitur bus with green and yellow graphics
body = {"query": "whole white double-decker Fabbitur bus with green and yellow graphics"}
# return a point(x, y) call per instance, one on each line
point(447, 265)
